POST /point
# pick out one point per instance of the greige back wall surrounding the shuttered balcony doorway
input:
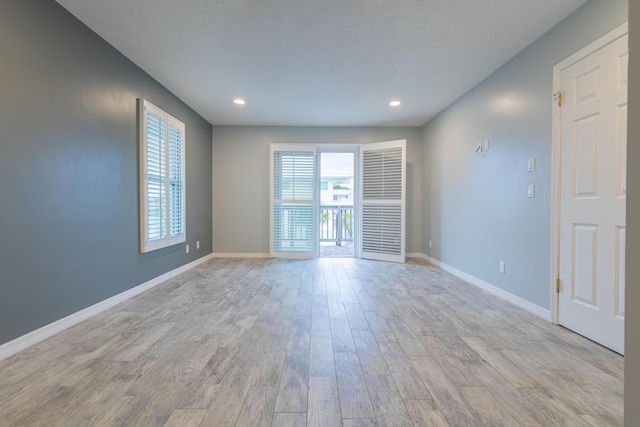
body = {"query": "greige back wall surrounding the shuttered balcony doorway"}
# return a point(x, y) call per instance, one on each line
point(241, 179)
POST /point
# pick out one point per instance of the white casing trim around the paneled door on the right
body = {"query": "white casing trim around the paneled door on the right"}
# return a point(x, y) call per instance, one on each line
point(555, 155)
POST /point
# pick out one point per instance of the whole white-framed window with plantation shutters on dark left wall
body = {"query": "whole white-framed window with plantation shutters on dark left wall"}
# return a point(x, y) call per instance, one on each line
point(162, 179)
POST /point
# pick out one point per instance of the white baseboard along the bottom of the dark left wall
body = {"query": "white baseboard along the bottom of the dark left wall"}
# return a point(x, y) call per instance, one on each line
point(34, 337)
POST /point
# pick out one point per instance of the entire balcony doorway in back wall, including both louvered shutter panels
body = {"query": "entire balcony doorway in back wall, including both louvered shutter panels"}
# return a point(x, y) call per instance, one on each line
point(364, 209)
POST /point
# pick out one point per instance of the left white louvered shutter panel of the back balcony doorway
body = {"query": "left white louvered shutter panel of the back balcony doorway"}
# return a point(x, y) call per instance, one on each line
point(292, 201)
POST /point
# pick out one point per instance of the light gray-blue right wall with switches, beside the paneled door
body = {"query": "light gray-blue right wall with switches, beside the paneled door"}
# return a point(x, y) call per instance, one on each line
point(476, 204)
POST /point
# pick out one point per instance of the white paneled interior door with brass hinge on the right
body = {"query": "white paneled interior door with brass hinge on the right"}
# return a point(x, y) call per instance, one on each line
point(592, 195)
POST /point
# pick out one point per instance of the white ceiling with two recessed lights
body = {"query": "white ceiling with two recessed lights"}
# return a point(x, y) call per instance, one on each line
point(320, 62)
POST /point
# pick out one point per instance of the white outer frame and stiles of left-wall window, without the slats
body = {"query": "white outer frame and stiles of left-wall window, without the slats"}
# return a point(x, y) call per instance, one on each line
point(146, 244)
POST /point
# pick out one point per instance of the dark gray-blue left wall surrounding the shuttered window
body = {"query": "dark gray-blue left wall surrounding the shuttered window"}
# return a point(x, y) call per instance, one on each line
point(69, 169)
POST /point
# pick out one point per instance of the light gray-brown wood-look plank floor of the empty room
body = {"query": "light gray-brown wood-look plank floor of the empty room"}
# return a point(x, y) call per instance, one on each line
point(317, 342)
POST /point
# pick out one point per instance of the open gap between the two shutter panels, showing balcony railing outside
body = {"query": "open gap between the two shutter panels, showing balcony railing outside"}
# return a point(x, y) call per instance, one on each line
point(336, 207)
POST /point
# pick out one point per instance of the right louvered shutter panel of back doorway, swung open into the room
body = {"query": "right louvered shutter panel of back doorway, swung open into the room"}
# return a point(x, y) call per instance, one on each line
point(383, 190)
